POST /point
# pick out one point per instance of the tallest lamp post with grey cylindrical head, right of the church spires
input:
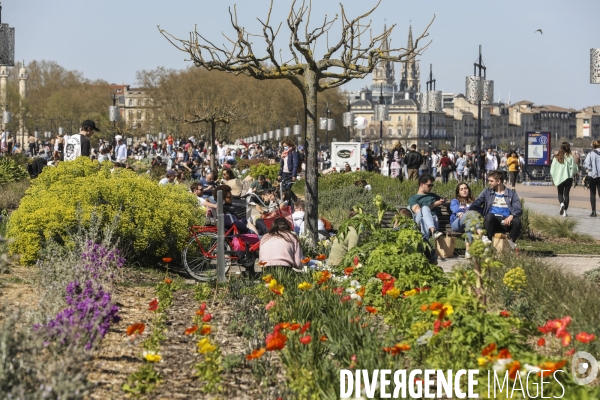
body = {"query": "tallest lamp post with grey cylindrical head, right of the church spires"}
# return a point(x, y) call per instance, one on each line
point(479, 90)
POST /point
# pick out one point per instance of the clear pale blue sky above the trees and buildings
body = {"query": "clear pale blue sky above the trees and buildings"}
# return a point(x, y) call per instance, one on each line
point(112, 39)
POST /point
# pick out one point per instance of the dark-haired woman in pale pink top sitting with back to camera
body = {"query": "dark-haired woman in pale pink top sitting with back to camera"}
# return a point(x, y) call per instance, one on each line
point(280, 246)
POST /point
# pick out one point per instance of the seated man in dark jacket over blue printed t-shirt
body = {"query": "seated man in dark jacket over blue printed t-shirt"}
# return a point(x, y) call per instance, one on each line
point(500, 206)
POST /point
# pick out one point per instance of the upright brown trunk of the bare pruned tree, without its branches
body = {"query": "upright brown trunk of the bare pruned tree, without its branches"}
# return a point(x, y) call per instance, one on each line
point(312, 185)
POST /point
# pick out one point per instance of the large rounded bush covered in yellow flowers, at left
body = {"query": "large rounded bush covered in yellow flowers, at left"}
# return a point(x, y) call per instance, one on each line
point(152, 220)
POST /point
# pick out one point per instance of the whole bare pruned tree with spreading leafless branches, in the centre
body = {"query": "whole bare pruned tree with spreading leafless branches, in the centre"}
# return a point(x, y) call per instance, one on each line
point(351, 57)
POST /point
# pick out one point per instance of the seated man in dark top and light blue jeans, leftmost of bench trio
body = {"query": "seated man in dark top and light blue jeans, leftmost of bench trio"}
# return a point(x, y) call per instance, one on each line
point(425, 206)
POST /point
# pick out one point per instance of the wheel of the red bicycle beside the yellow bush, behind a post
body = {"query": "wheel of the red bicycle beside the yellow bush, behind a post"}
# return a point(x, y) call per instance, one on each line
point(200, 256)
